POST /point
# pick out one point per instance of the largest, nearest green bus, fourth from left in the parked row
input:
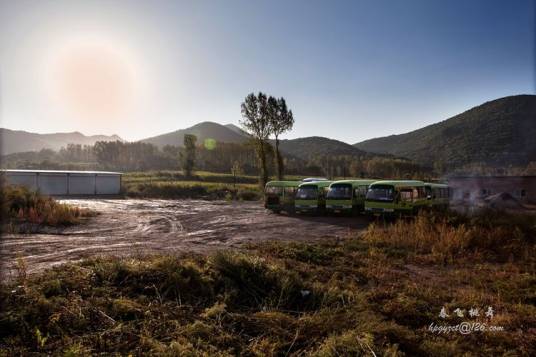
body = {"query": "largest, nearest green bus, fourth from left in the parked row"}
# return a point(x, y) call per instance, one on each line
point(396, 197)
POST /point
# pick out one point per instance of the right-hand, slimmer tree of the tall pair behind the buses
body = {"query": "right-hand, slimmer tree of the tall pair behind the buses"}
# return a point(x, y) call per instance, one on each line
point(281, 121)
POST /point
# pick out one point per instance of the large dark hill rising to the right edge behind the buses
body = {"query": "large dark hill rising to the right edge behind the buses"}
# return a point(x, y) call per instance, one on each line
point(501, 132)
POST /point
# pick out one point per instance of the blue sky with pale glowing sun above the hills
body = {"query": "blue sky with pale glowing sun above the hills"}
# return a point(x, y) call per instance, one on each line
point(349, 70)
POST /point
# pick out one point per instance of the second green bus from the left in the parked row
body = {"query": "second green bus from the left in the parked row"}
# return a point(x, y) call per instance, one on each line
point(311, 197)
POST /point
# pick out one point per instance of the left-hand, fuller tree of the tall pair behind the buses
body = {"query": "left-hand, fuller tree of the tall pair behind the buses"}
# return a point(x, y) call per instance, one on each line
point(256, 121)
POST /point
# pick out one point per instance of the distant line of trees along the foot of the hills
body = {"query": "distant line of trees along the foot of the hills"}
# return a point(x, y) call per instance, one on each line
point(138, 156)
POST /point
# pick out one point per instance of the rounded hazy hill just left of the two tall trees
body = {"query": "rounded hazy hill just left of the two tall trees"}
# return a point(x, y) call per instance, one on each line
point(203, 131)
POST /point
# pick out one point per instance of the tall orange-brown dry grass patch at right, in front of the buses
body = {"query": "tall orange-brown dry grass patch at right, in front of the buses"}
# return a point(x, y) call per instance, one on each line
point(497, 235)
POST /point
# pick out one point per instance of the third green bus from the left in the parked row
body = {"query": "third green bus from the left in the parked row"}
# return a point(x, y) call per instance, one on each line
point(347, 196)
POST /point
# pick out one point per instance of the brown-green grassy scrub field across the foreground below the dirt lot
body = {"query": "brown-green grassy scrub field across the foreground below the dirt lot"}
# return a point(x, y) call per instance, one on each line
point(377, 292)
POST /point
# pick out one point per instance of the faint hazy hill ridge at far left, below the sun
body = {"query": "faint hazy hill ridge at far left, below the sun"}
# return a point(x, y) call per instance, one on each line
point(13, 141)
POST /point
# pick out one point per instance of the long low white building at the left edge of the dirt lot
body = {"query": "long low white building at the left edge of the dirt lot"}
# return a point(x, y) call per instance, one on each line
point(66, 183)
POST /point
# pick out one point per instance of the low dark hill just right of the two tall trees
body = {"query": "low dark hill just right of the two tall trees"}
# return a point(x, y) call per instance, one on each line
point(306, 148)
